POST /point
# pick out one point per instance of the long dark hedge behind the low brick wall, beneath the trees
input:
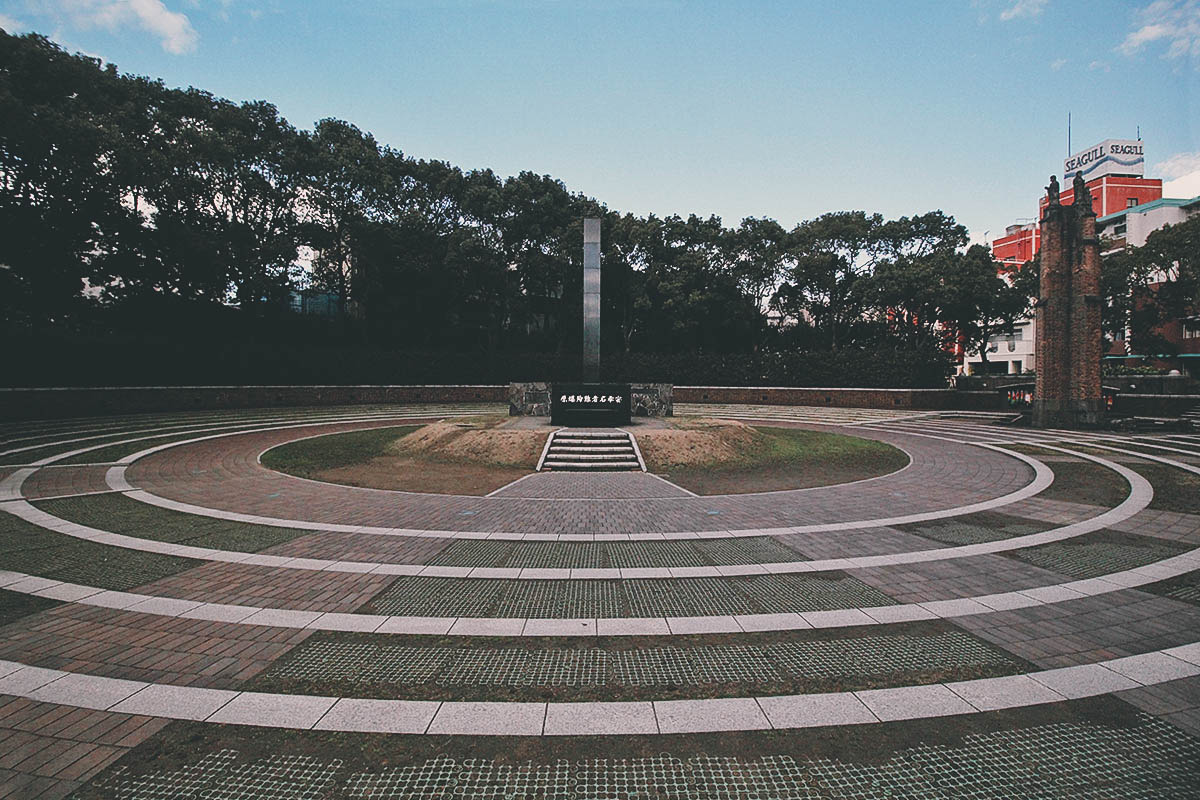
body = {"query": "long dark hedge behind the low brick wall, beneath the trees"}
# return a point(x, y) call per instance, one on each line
point(113, 360)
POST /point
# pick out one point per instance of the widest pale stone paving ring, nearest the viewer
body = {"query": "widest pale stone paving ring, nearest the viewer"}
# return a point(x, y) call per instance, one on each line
point(713, 715)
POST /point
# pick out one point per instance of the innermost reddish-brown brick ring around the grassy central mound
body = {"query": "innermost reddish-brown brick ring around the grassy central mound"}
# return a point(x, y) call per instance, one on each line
point(225, 474)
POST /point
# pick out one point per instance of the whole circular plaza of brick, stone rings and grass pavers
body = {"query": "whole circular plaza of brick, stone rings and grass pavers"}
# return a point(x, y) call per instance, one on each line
point(1013, 615)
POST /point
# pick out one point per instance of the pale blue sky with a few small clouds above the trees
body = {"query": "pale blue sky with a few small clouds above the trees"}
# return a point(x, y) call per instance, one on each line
point(741, 109)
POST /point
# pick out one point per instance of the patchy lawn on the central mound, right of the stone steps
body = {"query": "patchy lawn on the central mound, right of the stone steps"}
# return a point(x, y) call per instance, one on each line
point(788, 459)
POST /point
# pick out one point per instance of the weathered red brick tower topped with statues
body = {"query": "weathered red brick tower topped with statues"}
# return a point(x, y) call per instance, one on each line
point(1069, 315)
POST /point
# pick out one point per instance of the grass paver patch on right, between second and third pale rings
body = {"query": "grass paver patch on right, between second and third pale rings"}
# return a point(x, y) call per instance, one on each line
point(1099, 554)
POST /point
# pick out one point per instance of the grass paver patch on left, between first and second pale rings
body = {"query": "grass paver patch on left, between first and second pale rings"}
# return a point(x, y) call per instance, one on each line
point(121, 515)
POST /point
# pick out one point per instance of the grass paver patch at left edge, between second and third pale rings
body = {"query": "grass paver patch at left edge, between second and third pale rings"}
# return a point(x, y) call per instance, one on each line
point(49, 555)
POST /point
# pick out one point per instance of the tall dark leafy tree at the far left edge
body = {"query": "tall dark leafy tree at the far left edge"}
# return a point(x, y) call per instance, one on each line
point(62, 210)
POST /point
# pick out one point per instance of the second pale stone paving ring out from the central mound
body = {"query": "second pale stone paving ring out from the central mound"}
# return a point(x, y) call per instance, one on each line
point(1139, 497)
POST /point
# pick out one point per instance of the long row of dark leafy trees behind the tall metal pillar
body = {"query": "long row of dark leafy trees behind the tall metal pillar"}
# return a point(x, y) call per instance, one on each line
point(125, 200)
